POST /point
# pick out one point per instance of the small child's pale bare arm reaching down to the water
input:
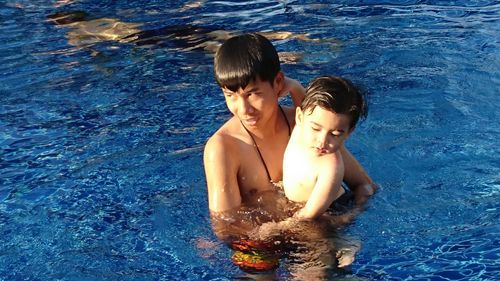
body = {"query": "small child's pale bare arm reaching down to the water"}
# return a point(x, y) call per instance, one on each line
point(326, 190)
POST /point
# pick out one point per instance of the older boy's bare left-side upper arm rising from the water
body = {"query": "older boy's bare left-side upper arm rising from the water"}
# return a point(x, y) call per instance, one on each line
point(221, 174)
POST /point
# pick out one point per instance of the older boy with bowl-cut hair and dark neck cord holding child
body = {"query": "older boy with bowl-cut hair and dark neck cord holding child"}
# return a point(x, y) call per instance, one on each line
point(245, 156)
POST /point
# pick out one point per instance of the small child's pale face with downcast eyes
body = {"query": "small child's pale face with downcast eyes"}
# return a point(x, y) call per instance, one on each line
point(322, 131)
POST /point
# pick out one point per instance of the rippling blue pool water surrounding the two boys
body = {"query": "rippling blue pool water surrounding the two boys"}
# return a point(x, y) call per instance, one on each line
point(101, 139)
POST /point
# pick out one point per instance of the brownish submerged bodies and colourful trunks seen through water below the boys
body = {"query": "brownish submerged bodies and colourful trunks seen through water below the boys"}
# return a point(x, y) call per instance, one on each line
point(264, 236)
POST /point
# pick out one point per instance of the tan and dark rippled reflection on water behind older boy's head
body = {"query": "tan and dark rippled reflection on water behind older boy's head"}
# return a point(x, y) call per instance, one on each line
point(85, 31)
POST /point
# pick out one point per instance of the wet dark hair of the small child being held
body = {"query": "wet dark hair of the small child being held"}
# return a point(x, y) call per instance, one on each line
point(335, 94)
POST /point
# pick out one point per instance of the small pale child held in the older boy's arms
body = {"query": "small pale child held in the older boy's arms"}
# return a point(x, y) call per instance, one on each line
point(313, 167)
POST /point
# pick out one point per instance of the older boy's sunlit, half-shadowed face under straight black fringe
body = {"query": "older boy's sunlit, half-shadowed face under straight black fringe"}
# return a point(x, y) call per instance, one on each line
point(253, 105)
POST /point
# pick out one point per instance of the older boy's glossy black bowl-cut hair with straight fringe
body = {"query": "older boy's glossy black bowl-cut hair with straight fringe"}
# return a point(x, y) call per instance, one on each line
point(244, 58)
